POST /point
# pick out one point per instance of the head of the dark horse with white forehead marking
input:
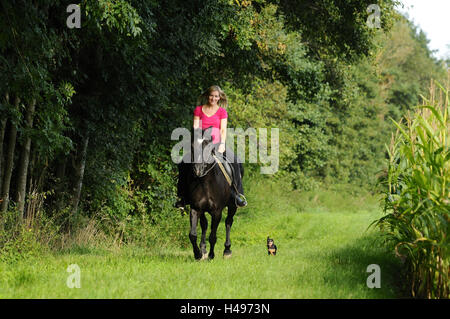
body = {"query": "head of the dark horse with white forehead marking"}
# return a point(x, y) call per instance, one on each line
point(202, 149)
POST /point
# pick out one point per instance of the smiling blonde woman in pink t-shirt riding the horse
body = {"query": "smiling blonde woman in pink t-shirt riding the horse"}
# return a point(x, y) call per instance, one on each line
point(213, 113)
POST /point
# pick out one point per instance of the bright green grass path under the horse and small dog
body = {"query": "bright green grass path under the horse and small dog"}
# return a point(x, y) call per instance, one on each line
point(324, 250)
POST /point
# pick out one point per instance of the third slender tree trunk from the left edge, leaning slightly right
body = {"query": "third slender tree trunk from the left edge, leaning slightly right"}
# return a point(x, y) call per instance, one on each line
point(25, 160)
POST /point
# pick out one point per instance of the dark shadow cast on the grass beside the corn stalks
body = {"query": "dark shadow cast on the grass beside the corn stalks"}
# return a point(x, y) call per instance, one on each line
point(349, 271)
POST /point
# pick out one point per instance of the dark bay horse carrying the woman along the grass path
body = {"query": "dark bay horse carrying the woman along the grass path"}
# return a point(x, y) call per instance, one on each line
point(207, 190)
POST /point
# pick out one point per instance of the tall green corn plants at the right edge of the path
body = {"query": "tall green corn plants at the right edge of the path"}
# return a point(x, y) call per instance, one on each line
point(416, 196)
